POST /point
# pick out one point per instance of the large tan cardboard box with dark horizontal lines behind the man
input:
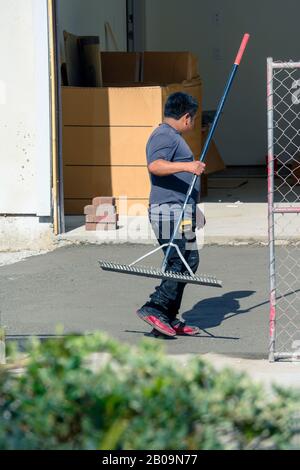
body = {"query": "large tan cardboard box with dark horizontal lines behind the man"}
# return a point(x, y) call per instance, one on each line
point(102, 159)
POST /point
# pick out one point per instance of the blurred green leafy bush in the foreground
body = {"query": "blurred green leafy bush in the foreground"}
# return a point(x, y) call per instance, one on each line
point(136, 399)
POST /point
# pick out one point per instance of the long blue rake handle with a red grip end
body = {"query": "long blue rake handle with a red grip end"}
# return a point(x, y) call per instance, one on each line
point(208, 141)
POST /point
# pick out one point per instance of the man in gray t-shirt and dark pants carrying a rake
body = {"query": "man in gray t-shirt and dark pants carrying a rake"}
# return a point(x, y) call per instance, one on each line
point(172, 167)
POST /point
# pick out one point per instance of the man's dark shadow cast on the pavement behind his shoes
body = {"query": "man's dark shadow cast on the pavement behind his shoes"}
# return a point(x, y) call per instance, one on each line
point(210, 313)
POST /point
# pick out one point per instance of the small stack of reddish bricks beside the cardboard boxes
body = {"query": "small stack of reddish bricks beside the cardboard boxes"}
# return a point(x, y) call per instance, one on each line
point(101, 215)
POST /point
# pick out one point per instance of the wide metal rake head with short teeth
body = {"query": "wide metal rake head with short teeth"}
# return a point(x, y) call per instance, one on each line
point(202, 280)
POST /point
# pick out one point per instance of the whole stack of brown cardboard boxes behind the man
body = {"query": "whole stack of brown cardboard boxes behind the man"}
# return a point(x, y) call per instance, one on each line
point(105, 130)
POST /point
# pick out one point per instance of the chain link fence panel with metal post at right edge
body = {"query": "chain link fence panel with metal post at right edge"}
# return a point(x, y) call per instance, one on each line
point(284, 208)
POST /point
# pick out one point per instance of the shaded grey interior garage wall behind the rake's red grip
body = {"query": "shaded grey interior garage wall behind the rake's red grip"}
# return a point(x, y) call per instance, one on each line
point(213, 30)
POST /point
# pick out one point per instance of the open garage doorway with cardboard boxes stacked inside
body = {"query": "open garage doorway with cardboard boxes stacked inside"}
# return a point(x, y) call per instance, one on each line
point(135, 53)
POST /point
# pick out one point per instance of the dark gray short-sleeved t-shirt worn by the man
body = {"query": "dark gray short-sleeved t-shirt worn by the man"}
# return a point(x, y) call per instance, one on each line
point(167, 144)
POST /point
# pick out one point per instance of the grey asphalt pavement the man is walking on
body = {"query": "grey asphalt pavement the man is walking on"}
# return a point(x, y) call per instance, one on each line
point(66, 287)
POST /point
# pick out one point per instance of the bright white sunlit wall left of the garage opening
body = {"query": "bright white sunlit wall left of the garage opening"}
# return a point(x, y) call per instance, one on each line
point(24, 108)
